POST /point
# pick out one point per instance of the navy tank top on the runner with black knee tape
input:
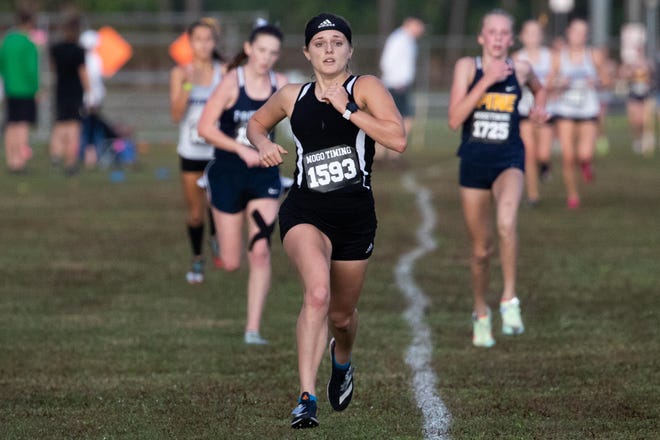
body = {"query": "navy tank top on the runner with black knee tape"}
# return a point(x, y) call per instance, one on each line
point(233, 121)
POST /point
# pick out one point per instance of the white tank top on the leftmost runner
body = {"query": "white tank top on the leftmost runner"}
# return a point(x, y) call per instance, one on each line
point(191, 145)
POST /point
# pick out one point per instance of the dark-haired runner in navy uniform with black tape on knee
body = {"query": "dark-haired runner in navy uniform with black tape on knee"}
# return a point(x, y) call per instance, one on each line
point(240, 190)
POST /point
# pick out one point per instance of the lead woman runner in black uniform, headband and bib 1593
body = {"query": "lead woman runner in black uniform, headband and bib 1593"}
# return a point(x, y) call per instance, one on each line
point(328, 221)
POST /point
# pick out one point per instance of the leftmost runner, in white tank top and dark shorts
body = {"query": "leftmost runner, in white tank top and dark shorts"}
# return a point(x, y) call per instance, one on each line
point(190, 87)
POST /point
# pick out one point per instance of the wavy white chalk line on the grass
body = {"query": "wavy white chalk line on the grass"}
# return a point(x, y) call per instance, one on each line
point(436, 416)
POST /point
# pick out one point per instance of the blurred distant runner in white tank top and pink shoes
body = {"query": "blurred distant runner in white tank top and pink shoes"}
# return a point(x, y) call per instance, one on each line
point(577, 73)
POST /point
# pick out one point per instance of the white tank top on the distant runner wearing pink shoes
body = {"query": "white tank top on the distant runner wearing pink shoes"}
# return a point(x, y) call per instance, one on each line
point(580, 99)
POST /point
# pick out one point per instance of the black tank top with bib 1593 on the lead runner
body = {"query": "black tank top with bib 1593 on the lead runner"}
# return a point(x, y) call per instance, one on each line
point(332, 154)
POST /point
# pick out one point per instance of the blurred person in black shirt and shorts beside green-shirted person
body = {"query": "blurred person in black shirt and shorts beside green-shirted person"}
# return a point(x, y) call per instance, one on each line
point(72, 82)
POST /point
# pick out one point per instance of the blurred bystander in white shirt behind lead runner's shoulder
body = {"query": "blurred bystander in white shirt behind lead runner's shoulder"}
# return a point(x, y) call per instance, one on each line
point(398, 65)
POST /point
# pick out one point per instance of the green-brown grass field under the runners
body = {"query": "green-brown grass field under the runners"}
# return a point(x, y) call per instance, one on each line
point(101, 337)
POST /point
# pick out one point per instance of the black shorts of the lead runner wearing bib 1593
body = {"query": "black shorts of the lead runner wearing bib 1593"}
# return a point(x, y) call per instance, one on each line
point(349, 221)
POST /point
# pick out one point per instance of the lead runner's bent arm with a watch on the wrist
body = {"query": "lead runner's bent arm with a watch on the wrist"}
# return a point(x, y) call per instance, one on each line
point(378, 115)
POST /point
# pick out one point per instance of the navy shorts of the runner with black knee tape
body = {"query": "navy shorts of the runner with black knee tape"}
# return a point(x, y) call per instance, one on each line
point(232, 187)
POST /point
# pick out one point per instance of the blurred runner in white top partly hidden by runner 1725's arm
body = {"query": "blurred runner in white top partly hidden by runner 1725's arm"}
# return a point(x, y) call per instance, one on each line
point(537, 137)
